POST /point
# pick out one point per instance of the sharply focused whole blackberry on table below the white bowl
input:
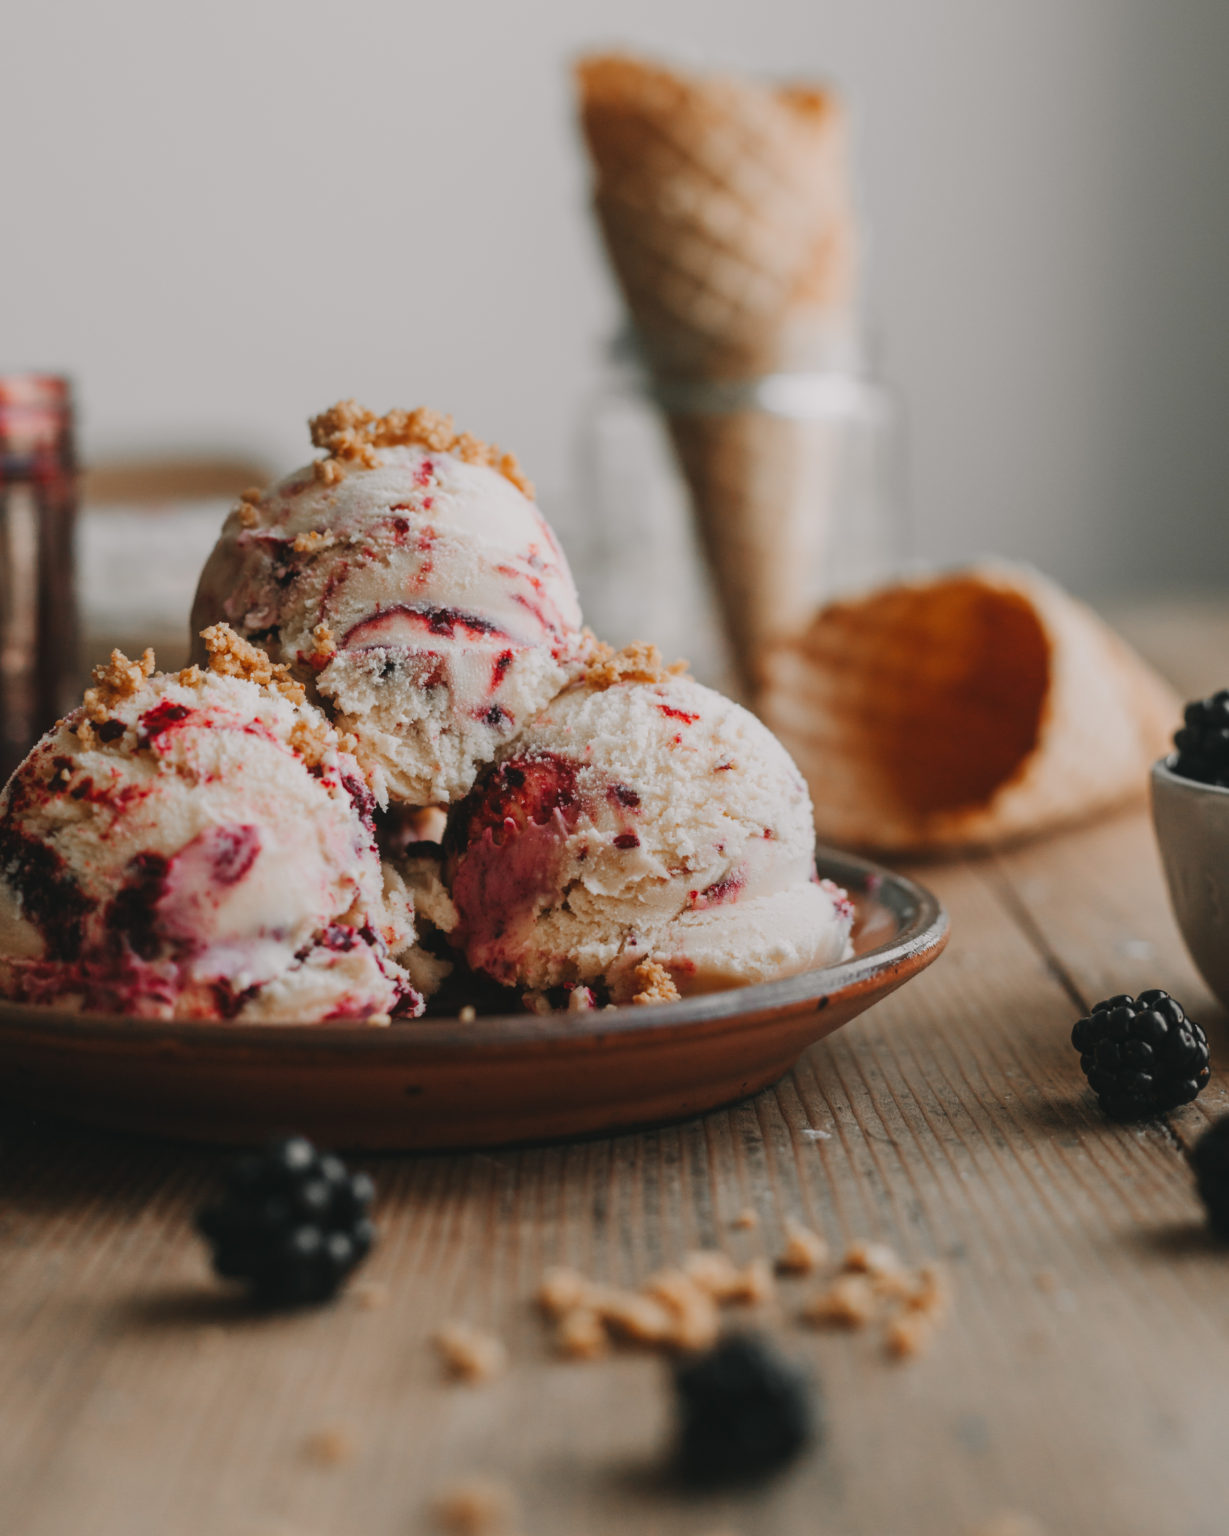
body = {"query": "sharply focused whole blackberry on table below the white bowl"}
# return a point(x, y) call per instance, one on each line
point(1142, 1054)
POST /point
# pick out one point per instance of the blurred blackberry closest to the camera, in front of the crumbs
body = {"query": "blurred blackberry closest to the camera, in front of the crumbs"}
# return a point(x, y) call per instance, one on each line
point(744, 1412)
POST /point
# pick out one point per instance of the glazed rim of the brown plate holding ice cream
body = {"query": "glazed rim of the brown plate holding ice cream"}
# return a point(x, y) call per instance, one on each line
point(923, 932)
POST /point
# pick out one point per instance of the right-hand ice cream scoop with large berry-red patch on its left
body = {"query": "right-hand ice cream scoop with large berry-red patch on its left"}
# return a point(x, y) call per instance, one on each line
point(643, 833)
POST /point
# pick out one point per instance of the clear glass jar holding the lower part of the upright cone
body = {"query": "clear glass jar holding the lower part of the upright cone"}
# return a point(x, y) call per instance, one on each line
point(714, 517)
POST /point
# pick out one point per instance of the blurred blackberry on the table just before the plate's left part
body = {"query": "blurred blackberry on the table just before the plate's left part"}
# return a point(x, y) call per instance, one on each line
point(293, 1223)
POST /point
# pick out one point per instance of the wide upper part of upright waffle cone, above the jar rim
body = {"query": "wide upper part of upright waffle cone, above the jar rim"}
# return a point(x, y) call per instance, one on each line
point(724, 210)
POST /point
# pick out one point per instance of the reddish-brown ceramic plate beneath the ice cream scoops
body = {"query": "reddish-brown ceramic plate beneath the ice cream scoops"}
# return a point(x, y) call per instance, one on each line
point(443, 1084)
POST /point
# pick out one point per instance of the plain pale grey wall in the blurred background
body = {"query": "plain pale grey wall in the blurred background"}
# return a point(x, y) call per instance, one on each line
point(220, 219)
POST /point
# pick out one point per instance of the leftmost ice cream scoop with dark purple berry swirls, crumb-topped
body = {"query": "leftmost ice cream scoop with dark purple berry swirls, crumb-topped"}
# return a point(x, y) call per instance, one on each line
point(199, 846)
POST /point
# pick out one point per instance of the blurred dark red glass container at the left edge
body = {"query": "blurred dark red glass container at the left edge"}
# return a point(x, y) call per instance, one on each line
point(38, 528)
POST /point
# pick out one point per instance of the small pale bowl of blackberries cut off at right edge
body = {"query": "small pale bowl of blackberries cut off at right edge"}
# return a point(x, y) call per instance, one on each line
point(1191, 816)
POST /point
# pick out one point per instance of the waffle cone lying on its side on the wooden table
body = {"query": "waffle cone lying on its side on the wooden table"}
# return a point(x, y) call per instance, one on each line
point(967, 709)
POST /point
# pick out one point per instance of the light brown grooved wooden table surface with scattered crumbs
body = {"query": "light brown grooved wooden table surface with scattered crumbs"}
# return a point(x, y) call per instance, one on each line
point(1081, 1383)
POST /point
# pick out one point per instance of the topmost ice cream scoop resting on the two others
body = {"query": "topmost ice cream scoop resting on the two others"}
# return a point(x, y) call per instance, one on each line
point(412, 580)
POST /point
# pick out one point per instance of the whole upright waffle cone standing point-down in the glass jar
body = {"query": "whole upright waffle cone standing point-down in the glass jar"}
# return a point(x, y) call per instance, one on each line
point(726, 214)
